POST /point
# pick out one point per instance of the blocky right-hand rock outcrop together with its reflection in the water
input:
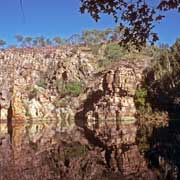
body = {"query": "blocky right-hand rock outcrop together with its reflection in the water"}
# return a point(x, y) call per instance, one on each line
point(108, 114)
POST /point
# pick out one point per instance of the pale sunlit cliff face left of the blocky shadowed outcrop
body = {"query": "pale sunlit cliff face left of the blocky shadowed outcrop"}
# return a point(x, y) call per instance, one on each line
point(33, 80)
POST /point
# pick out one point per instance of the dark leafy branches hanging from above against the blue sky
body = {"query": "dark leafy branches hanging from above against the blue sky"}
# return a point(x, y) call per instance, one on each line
point(137, 18)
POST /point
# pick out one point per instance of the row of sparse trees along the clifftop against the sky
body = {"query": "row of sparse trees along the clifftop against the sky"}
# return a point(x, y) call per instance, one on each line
point(88, 37)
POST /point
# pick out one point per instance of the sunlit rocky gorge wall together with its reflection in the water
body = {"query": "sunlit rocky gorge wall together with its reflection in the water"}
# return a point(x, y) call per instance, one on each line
point(53, 99)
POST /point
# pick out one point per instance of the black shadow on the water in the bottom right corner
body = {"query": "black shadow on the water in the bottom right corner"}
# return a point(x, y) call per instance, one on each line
point(164, 152)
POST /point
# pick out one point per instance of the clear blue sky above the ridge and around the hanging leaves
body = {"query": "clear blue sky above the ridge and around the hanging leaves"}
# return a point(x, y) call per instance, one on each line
point(62, 17)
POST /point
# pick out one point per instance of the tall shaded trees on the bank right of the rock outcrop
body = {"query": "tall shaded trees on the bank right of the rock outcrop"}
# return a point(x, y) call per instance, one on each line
point(163, 79)
